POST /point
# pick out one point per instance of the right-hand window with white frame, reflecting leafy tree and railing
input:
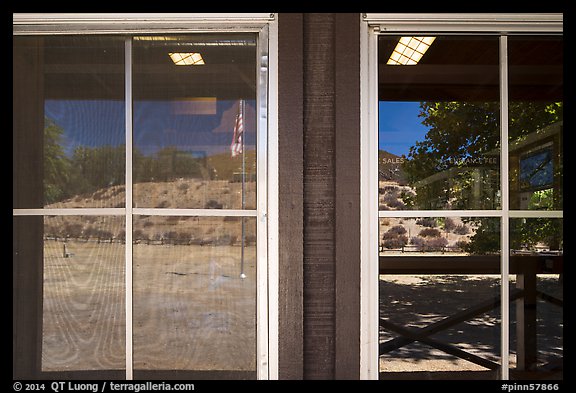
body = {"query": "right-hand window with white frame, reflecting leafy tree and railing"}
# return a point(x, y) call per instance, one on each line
point(462, 188)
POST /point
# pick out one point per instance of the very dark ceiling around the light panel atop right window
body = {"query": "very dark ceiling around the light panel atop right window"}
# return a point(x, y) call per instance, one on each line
point(467, 68)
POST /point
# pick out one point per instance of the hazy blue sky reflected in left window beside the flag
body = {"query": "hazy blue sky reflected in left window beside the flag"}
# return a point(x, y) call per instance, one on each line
point(157, 124)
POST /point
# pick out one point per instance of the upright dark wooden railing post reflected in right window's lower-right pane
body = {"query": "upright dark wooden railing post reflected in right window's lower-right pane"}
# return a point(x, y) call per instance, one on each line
point(526, 350)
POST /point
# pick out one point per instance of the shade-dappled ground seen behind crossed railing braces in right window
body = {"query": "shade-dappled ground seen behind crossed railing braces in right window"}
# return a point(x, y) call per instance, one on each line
point(414, 302)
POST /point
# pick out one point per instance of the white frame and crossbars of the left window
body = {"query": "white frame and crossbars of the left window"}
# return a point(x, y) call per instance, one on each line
point(266, 212)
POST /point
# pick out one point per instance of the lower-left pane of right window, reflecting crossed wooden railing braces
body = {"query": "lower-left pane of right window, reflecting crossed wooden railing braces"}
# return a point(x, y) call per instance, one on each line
point(439, 288)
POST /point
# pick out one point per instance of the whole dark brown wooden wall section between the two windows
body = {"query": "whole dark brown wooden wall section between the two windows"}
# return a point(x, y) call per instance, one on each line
point(319, 144)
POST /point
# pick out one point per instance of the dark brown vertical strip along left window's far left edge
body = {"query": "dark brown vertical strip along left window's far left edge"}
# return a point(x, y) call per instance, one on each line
point(28, 123)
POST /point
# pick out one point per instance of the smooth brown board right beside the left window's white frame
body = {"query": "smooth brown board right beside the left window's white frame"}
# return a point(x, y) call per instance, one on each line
point(290, 179)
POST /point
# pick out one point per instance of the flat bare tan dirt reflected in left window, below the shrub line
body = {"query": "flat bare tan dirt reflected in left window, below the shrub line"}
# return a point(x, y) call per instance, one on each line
point(191, 309)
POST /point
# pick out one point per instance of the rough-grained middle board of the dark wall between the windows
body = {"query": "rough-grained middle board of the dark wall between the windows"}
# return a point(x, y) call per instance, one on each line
point(319, 201)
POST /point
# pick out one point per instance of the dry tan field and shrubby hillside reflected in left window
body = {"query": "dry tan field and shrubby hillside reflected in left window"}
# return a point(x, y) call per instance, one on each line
point(191, 309)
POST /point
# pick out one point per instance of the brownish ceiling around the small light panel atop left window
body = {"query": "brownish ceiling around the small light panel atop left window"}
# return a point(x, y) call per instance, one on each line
point(80, 68)
